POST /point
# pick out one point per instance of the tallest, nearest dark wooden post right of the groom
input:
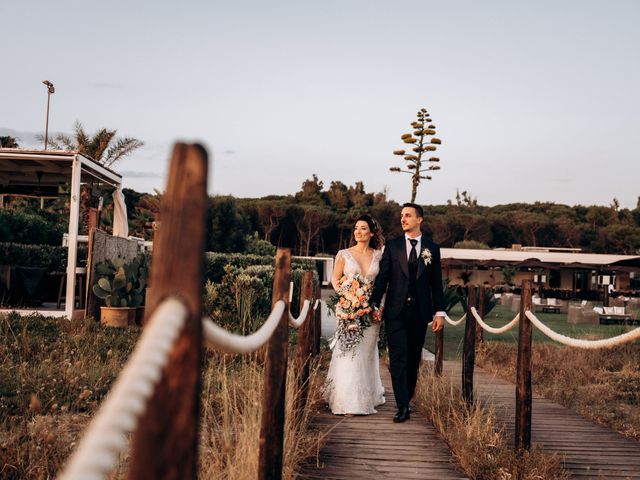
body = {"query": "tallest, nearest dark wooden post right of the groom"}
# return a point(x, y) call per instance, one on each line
point(523, 372)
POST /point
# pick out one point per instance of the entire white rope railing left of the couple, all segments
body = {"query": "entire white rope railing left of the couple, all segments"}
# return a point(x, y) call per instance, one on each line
point(106, 436)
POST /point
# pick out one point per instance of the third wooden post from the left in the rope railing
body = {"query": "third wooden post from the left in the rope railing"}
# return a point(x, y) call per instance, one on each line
point(305, 341)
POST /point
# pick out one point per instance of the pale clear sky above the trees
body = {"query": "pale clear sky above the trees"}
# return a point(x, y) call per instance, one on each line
point(533, 101)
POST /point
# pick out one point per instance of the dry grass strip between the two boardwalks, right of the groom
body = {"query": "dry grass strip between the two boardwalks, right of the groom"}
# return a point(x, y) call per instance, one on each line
point(475, 438)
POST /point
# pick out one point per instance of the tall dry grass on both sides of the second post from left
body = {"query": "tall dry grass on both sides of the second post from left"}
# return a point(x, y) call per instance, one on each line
point(231, 419)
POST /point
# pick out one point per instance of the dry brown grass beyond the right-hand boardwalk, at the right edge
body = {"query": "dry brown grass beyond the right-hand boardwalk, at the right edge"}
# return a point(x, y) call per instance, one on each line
point(603, 385)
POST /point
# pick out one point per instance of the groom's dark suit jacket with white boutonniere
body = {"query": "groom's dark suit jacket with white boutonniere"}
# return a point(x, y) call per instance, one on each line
point(394, 279)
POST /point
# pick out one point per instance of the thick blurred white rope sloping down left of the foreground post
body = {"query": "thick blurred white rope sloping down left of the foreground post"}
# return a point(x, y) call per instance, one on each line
point(106, 436)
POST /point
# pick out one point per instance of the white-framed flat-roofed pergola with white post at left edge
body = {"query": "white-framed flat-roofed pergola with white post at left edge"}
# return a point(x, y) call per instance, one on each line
point(36, 173)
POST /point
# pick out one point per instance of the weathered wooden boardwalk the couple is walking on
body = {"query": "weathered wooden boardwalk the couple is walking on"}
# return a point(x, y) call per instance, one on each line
point(366, 447)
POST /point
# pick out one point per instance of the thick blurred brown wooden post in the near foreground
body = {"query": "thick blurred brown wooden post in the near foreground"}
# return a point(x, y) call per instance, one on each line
point(165, 444)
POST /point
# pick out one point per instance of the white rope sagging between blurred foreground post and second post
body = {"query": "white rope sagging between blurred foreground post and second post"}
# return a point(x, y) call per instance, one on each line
point(218, 338)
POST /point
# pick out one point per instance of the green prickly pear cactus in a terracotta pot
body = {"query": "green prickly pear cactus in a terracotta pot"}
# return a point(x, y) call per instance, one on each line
point(120, 288)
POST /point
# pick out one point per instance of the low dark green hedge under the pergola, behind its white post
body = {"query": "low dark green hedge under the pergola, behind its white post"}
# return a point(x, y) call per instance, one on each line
point(53, 258)
